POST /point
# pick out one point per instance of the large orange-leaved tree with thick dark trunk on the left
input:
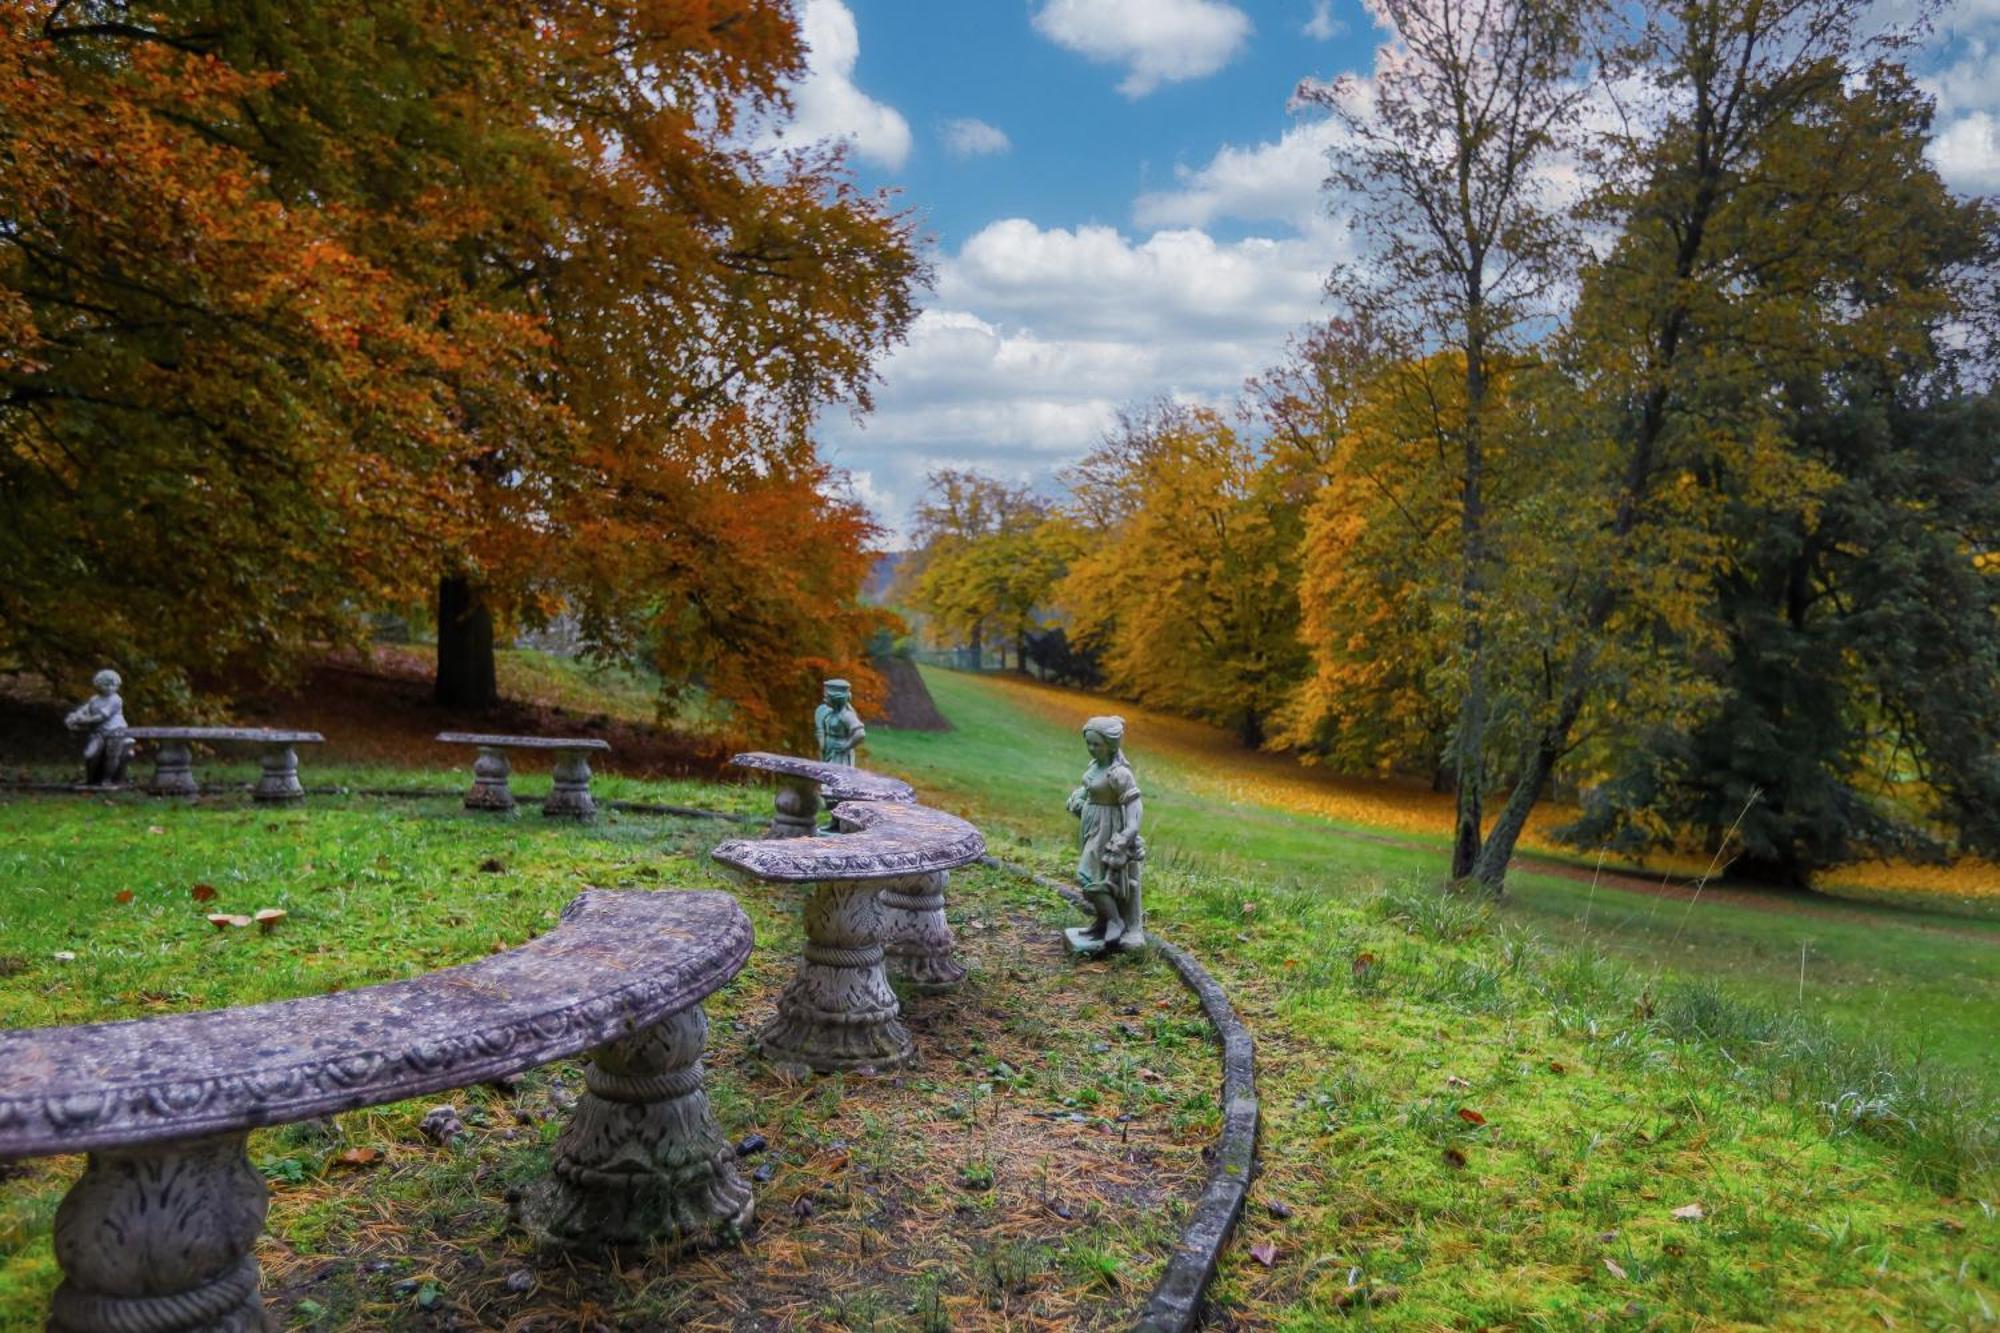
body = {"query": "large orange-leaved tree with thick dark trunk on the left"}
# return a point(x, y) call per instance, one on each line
point(573, 301)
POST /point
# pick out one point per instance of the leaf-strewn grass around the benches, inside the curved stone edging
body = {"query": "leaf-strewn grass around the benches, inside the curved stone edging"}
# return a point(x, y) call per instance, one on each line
point(1031, 1170)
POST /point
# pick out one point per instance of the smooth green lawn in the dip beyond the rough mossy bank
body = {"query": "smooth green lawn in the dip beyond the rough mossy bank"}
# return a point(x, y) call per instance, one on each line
point(1917, 980)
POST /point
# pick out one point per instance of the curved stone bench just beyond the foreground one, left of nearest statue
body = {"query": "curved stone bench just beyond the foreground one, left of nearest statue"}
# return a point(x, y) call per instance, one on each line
point(839, 1012)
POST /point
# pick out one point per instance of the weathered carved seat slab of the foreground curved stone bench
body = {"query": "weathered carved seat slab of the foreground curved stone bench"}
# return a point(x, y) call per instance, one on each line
point(115, 1086)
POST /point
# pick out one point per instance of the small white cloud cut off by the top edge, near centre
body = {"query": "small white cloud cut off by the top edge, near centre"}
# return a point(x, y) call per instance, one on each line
point(1157, 41)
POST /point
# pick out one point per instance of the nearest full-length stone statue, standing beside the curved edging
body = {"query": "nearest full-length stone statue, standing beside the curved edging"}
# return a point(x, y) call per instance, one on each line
point(1109, 864)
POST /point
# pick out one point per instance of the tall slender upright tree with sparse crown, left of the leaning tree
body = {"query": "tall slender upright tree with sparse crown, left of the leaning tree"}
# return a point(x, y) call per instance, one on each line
point(1471, 105)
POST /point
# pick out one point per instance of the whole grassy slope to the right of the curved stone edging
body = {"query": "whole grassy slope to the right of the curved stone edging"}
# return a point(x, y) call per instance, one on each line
point(1575, 1112)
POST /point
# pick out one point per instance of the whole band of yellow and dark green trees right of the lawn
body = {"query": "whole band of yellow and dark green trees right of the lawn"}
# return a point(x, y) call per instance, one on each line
point(1649, 453)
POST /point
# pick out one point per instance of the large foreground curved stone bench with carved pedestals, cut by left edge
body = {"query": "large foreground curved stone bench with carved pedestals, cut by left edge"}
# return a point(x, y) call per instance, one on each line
point(161, 1228)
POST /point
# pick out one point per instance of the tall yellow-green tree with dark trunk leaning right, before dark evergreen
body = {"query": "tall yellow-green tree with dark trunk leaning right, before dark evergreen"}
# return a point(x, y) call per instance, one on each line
point(1767, 219)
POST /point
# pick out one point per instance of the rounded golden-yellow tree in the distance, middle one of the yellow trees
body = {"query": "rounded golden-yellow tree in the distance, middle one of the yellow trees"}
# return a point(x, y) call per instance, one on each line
point(1189, 595)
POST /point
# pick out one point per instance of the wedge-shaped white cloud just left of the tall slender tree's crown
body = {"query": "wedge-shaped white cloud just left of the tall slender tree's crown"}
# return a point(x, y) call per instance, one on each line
point(1263, 183)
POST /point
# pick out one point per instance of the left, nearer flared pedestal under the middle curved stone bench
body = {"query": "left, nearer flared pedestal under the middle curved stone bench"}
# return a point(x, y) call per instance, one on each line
point(839, 1014)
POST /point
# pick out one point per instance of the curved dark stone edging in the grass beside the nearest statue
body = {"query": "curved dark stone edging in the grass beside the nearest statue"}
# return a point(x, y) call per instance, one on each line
point(1175, 1306)
